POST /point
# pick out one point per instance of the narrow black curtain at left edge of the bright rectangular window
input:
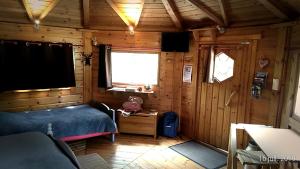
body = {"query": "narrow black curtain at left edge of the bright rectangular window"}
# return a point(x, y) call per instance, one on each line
point(104, 73)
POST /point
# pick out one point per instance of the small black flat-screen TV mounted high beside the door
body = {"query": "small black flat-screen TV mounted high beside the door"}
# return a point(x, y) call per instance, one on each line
point(175, 42)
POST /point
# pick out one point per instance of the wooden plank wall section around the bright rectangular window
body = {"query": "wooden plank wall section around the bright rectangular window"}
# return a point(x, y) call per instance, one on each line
point(167, 95)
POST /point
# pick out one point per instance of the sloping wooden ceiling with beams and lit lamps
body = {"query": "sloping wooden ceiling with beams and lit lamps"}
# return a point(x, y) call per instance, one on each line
point(149, 15)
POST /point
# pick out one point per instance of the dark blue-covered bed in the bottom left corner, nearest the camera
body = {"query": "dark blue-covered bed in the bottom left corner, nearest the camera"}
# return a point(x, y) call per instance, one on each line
point(35, 150)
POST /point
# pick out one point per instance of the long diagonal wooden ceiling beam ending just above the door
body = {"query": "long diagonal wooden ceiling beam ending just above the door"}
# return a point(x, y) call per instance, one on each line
point(207, 11)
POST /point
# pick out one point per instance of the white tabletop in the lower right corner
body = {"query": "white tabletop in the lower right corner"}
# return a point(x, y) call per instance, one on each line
point(279, 144)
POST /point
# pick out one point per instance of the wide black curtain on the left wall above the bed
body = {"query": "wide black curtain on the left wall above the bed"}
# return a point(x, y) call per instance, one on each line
point(35, 65)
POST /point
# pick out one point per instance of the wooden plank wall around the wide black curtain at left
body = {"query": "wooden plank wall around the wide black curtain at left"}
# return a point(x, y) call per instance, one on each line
point(18, 101)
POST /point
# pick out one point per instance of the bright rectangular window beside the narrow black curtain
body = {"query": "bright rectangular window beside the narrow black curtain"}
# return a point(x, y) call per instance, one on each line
point(134, 68)
